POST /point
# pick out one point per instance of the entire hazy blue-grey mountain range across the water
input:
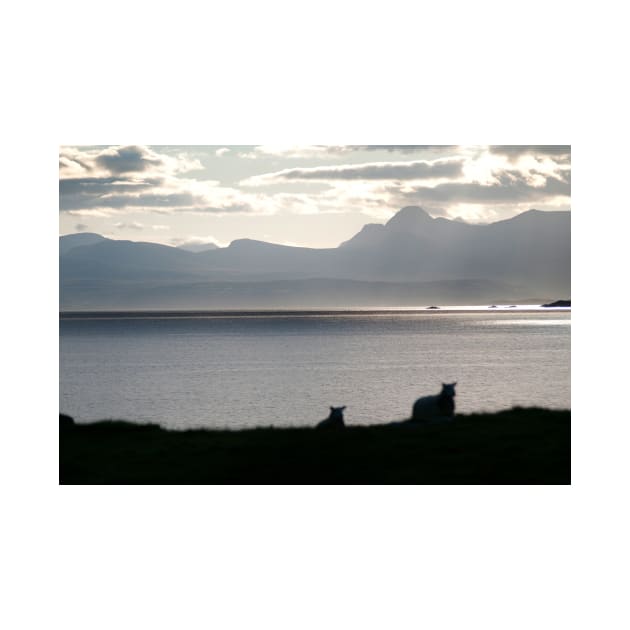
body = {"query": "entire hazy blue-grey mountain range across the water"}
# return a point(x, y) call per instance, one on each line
point(412, 260)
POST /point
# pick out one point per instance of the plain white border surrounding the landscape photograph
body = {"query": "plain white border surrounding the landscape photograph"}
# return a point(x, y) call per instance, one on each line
point(343, 72)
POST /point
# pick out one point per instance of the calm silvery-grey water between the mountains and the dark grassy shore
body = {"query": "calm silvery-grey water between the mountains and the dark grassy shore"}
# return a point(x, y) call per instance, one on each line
point(234, 371)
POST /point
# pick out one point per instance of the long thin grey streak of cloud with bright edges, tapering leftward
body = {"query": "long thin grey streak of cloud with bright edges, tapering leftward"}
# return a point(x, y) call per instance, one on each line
point(369, 171)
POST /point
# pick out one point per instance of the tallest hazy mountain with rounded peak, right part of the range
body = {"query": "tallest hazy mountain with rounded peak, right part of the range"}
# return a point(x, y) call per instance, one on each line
point(532, 248)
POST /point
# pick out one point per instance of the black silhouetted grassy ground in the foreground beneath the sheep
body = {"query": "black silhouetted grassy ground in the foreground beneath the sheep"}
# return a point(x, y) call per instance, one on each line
point(519, 446)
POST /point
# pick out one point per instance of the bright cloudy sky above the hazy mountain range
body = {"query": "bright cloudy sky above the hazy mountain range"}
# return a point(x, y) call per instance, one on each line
point(307, 195)
